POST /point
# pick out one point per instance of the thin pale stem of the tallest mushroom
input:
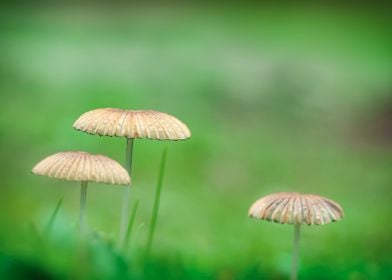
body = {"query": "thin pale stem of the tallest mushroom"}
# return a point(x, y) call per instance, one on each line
point(126, 194)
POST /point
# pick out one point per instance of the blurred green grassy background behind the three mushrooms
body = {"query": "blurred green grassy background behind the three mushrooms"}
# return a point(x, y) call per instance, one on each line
point(278, 98)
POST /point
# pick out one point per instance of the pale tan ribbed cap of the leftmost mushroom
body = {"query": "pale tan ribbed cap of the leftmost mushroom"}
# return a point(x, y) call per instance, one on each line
point(82, 167)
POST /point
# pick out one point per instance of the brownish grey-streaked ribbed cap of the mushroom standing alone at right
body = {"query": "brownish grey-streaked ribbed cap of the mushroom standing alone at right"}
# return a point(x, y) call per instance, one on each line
point(296, 208)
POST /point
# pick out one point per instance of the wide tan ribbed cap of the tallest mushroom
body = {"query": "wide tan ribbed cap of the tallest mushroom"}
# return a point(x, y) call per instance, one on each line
point(132, 124)
